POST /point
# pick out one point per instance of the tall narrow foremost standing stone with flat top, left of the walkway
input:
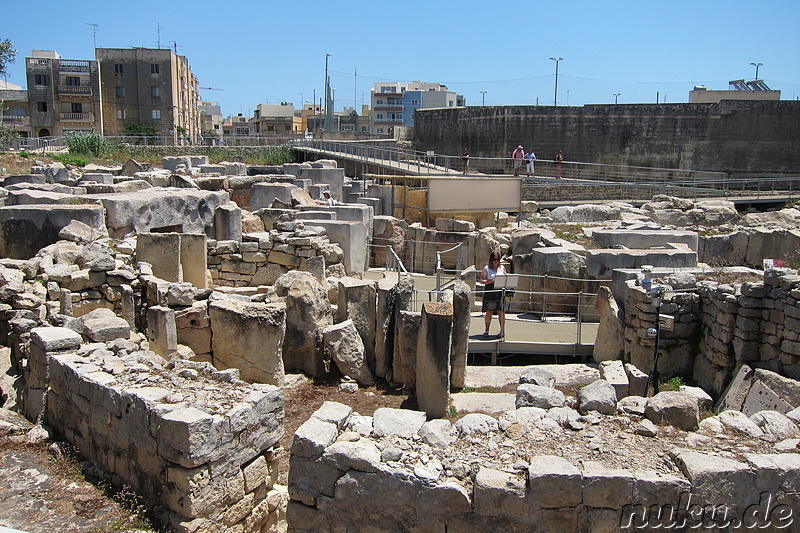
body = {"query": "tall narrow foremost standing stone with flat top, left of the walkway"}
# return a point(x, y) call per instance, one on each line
point(433, 359)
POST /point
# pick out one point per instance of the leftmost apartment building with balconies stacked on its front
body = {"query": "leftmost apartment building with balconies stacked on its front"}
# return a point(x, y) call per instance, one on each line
point(63, 94)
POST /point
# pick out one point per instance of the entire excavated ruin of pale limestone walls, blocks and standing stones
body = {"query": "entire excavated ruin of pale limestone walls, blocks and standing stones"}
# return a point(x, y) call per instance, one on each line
point(152, 321)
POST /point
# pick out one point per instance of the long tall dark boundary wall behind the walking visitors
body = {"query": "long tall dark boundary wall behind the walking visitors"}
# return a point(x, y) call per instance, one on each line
point(746, 138)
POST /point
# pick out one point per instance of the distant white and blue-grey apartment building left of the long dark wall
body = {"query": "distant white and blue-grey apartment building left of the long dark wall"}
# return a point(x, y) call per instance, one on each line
point(393, 103)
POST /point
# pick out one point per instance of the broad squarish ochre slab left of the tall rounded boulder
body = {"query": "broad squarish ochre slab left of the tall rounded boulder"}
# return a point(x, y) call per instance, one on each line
point(249, 336)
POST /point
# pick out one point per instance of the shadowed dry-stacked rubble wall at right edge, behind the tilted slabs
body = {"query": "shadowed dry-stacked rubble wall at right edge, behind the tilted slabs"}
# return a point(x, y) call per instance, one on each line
point(717, 327)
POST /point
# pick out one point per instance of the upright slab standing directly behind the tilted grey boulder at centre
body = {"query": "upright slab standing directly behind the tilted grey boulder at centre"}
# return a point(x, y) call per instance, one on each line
point(356, 300)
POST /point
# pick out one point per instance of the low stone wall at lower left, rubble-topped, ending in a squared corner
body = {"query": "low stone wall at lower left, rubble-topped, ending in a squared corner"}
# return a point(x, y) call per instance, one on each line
point(198, 444)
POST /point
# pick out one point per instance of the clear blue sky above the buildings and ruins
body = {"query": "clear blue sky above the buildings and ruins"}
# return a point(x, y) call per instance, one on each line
point(270, 51)
